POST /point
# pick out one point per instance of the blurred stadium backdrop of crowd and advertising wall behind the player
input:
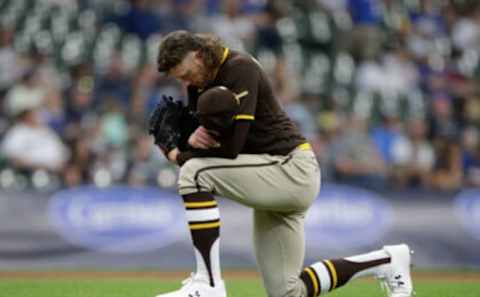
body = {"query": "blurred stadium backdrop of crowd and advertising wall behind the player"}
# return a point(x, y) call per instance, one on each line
point(386, 91)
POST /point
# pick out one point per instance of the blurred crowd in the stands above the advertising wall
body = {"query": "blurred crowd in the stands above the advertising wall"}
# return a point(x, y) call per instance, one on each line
point(386, 91)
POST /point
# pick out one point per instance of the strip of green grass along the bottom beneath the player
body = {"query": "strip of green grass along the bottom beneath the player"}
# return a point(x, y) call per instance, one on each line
point(147, 287)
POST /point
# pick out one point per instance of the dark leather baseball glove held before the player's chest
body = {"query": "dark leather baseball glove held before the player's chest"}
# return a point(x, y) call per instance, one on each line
point(164, 123)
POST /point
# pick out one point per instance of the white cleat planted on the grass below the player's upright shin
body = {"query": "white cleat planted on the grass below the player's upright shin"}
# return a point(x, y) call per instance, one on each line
point(196, 287)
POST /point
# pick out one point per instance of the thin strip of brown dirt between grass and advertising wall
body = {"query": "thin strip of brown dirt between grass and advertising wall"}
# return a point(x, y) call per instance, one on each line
point(456, 276)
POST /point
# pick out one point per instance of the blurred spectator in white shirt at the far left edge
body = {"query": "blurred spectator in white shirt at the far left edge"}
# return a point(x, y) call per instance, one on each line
point(29, 144)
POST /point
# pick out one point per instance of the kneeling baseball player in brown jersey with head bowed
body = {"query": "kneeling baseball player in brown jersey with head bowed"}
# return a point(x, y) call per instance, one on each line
point(234, 140)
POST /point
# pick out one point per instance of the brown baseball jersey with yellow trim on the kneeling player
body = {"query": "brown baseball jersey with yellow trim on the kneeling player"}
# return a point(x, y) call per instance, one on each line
point(261, 125)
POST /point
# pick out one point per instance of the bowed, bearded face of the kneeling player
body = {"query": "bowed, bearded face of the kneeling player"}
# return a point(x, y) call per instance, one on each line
point(191, 70)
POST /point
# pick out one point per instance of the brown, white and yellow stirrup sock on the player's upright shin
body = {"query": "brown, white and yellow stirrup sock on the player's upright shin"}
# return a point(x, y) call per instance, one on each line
point(203, 219)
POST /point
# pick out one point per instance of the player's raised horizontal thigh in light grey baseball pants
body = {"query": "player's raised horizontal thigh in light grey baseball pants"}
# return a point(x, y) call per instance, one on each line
point(259, 181)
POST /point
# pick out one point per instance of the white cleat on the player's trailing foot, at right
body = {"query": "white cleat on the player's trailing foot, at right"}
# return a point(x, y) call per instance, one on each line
point(396, 277)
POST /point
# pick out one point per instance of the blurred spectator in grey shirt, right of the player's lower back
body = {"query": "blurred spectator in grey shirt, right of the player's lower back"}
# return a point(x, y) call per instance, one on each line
point(356, 158)
